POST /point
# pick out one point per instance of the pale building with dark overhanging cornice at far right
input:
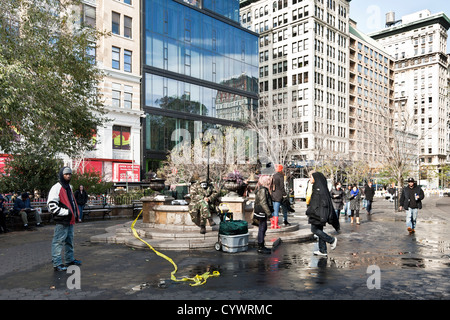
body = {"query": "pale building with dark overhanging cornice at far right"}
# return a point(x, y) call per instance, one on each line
point(418, 43)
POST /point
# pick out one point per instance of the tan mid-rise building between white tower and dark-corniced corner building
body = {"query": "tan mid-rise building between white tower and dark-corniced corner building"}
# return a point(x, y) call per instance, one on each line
point(371, 102)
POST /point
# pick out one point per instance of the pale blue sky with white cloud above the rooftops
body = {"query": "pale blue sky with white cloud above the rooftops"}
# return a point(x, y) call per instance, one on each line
point(370, 15)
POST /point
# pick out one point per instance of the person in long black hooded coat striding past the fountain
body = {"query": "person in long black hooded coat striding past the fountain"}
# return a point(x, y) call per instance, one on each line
point(320, 211)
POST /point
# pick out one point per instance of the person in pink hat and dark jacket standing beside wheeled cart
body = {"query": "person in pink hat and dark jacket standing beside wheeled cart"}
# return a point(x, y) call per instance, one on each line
point(263, 209)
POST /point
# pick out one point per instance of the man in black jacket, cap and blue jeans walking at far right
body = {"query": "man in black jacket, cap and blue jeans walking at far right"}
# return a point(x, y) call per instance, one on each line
point(411, 201)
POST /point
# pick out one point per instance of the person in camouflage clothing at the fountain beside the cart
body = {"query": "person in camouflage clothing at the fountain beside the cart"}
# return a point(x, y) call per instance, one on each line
point(203, 204)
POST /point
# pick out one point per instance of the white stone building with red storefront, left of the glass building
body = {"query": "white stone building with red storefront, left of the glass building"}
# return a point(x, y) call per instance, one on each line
point(118, 144)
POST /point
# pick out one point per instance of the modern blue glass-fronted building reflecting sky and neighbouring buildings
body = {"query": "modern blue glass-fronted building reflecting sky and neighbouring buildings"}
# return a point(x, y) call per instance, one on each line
point(200, 70)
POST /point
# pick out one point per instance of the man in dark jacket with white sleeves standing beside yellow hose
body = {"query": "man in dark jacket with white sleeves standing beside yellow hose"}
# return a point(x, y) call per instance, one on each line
point(61, 204)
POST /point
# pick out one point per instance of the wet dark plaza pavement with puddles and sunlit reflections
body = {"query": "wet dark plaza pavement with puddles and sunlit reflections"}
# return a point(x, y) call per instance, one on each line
point(376, 260)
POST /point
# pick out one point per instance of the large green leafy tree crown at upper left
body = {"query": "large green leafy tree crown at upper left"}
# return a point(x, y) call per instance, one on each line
point(48, 81)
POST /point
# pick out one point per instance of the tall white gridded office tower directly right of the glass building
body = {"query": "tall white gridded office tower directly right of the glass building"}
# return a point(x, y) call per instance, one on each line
point(304, 73)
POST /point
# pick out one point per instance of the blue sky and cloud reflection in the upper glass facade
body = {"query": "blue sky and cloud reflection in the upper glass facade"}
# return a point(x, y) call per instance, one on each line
point(191, 43)
